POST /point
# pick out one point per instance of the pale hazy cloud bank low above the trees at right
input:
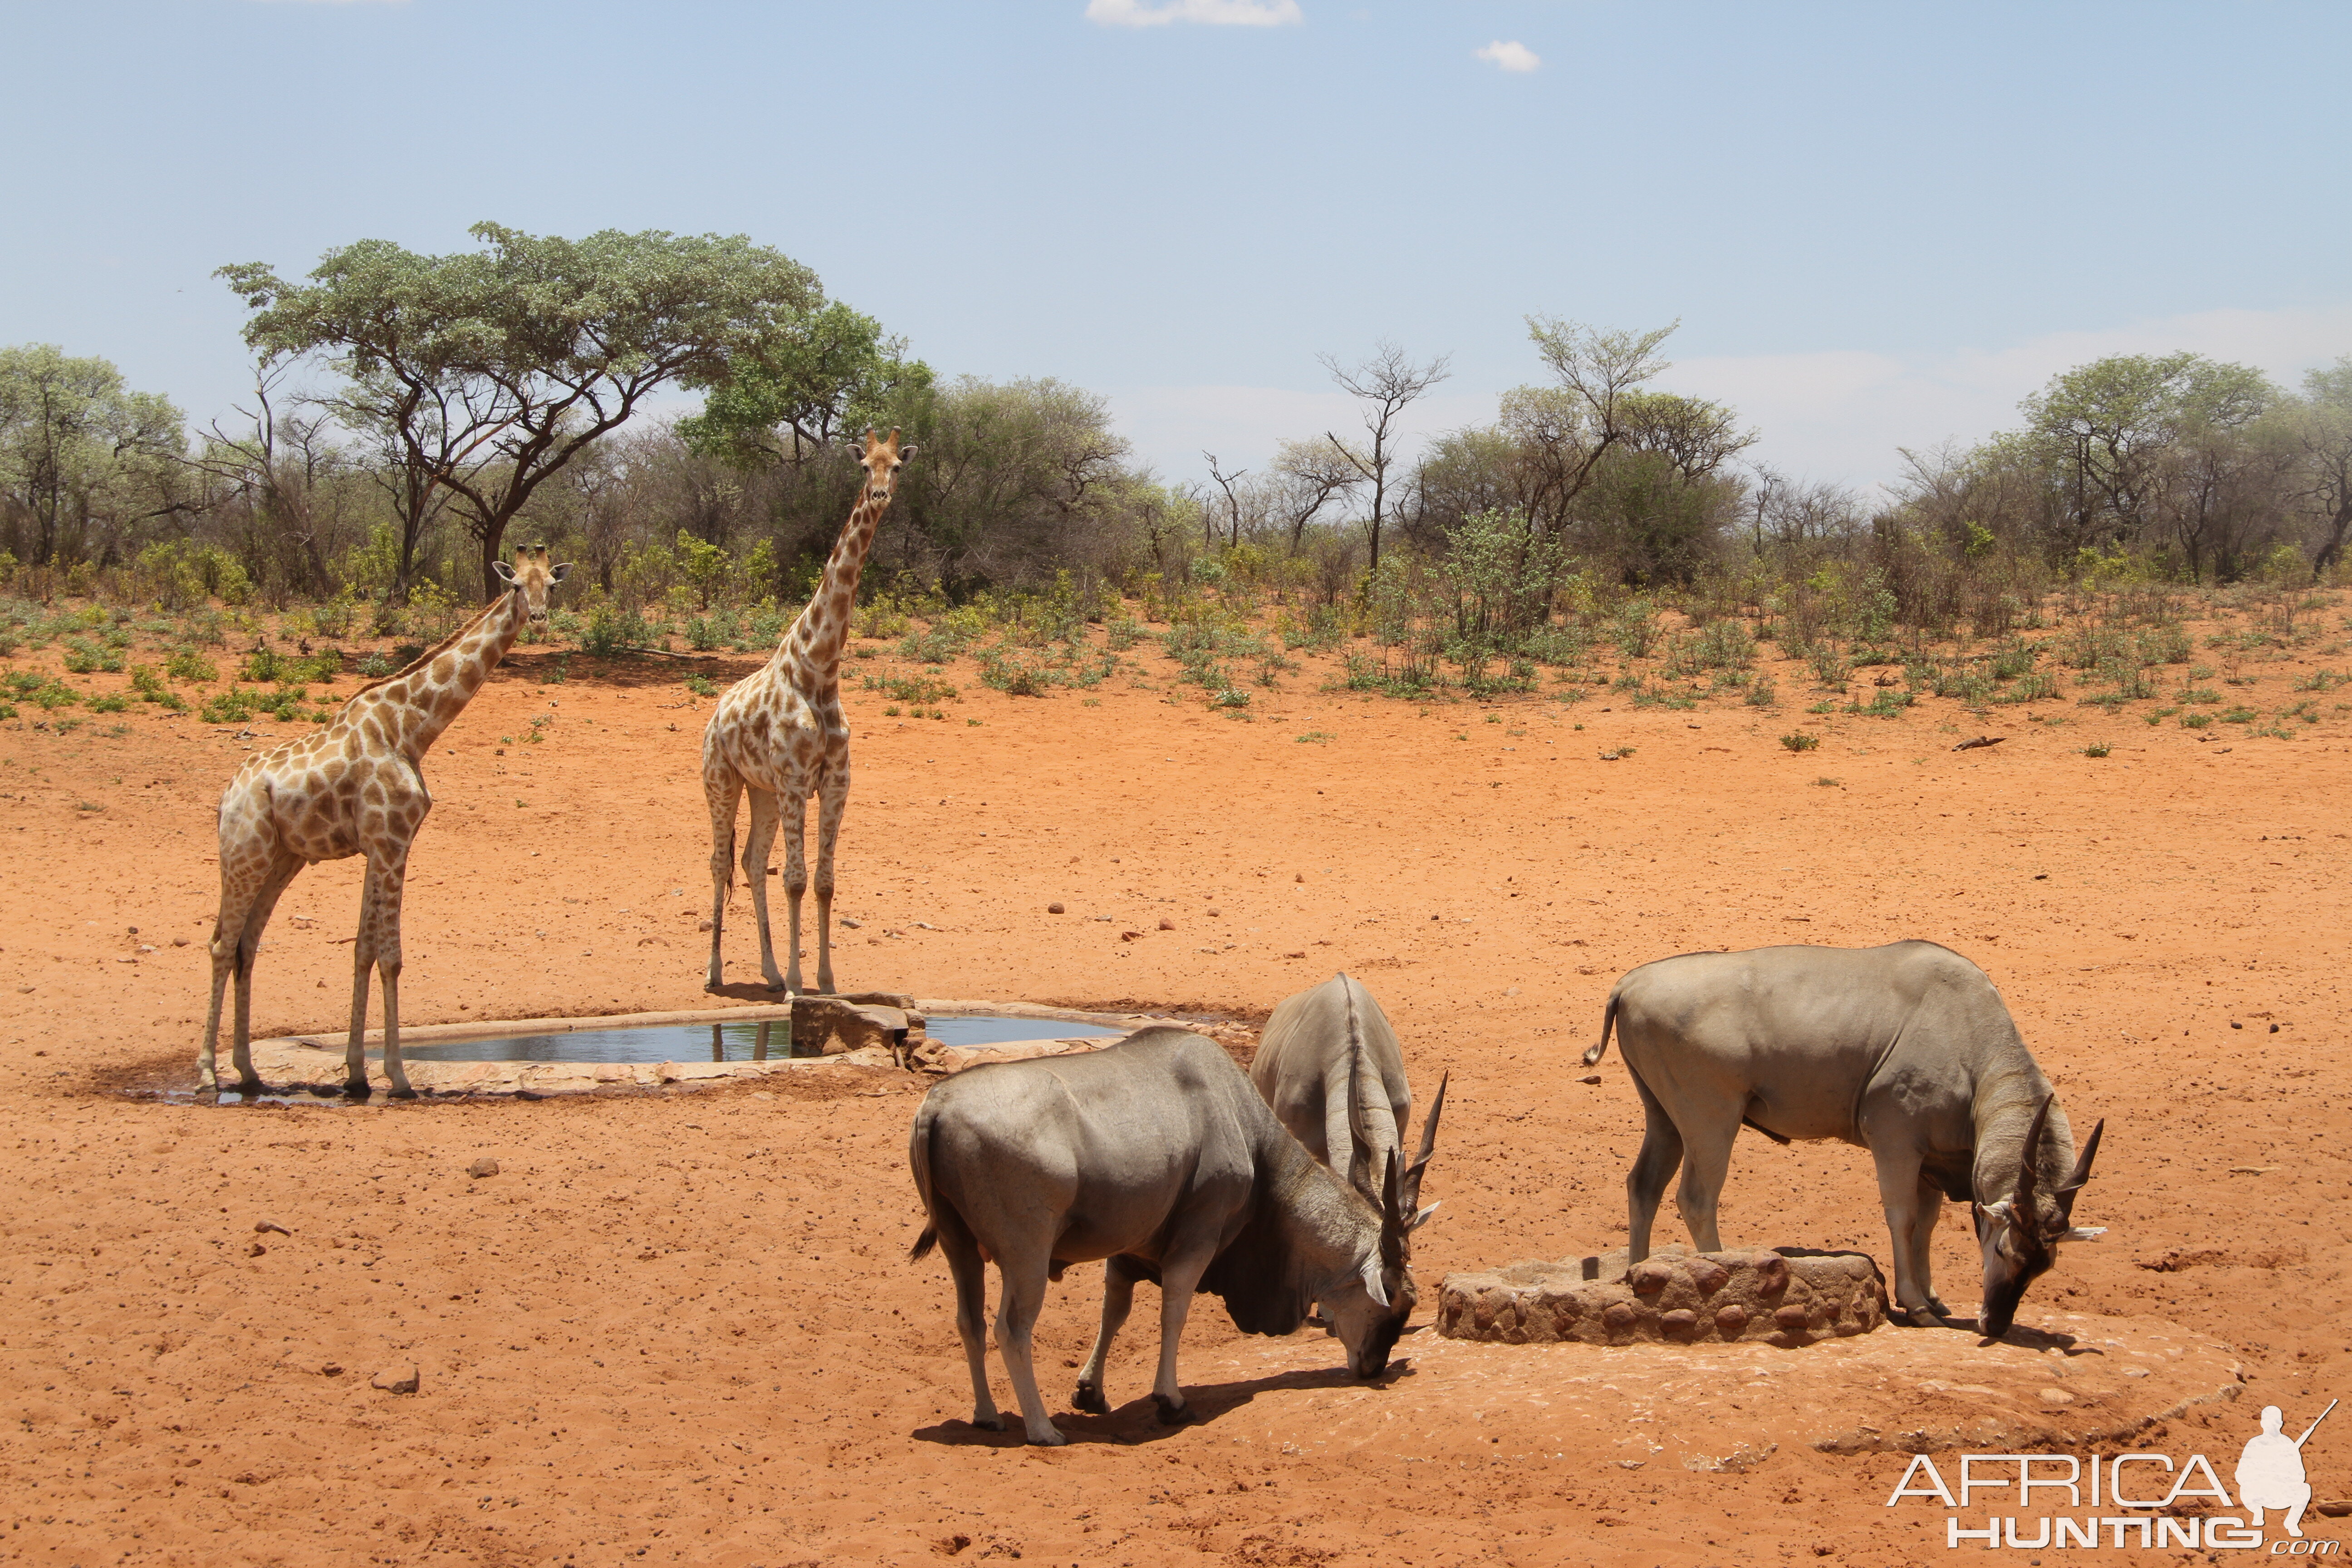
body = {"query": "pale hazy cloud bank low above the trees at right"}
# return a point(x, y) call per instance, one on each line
point(1840, 415)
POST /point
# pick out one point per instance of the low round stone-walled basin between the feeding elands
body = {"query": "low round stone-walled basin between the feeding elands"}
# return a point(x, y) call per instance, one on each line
point(1784, 1296)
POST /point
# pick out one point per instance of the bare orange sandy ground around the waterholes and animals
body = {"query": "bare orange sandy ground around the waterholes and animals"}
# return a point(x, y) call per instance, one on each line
point(683, 1329)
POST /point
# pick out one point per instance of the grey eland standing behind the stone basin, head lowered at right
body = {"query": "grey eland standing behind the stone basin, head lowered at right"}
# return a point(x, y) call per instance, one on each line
point(1902, 1050)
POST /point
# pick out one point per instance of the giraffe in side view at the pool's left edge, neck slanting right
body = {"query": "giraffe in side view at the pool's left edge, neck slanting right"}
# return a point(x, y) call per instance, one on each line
point(354, 789)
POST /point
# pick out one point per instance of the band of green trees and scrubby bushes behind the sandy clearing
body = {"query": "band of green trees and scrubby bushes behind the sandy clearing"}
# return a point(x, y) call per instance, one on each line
point(417, 415)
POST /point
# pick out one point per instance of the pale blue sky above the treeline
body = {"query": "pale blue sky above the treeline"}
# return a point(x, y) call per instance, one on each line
point(1880, 225)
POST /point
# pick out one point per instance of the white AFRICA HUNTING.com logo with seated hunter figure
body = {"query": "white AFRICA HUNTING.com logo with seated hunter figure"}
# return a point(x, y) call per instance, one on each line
point(2271, 1482)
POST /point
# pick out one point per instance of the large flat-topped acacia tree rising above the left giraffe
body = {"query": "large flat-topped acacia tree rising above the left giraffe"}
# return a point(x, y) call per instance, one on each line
point(497, 368)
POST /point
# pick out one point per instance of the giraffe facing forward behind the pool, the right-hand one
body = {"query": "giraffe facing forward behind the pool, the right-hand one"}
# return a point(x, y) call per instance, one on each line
point(782, 737)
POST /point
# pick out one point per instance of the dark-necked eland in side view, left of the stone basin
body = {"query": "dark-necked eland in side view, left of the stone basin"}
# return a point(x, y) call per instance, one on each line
point(1158, 1158)
